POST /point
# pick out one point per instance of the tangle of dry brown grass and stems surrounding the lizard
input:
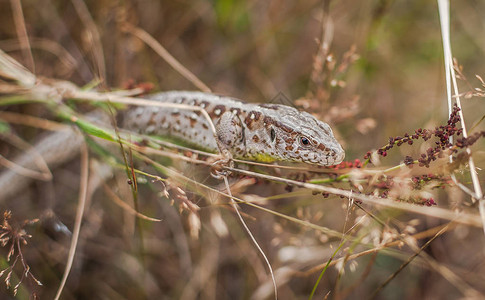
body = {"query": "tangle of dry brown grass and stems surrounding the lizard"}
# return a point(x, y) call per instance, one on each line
point(402, 218)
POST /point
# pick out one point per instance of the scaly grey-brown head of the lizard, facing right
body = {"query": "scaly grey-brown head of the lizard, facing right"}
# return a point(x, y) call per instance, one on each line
point(299, 136)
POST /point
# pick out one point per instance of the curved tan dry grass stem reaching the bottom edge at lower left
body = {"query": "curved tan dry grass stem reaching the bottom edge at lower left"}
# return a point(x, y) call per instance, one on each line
point(79, 215)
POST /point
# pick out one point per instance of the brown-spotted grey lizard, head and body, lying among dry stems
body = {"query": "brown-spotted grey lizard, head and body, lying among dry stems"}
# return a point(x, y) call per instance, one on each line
point(260, 132)
